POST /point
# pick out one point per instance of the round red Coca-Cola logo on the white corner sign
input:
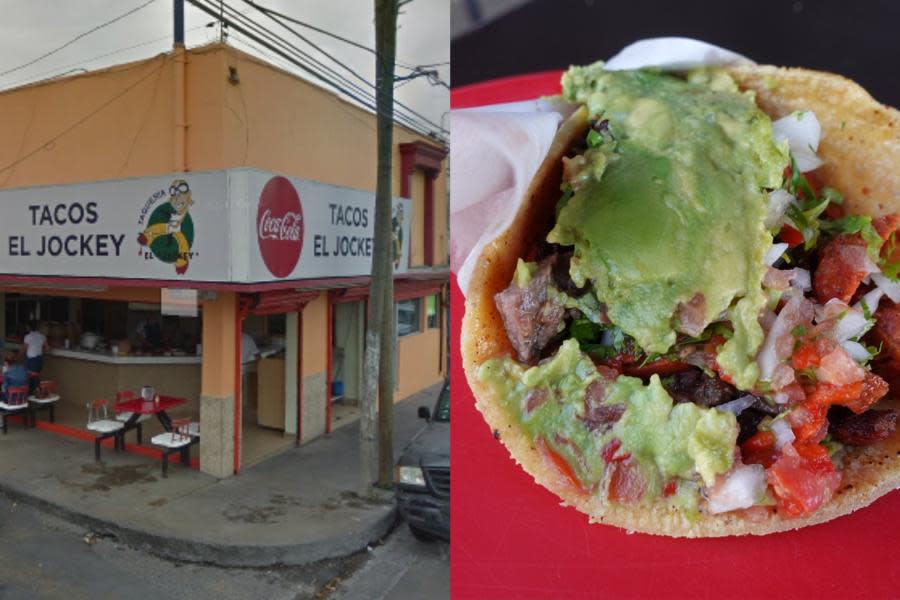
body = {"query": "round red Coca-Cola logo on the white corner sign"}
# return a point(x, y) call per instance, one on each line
point(279, 226)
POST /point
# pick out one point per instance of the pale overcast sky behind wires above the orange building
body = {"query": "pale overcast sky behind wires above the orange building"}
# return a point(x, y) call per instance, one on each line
point(33, 28)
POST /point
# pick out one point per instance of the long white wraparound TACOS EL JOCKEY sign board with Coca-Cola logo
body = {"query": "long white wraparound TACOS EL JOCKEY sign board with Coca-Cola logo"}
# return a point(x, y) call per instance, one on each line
point(234, 226)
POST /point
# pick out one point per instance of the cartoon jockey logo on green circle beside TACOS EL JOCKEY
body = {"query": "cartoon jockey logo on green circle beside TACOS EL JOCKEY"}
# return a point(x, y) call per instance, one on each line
point(170, 230)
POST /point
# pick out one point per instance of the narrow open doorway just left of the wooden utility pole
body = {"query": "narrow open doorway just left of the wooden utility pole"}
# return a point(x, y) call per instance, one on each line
point(348, 323)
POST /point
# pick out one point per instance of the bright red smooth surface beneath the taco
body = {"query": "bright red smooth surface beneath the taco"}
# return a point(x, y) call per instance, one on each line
point(511, 539)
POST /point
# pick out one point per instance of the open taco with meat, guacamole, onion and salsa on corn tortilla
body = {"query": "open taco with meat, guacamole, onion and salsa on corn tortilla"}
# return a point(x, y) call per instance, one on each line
point(690, 328)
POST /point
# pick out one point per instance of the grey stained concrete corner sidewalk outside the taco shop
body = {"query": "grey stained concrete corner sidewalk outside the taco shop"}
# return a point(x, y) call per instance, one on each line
point(295, 508)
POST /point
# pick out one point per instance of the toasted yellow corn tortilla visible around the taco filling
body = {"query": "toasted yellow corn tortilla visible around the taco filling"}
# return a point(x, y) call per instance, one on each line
point(861, 149)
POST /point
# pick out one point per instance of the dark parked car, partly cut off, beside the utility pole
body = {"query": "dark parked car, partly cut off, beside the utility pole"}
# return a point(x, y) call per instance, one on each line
point(423, 474)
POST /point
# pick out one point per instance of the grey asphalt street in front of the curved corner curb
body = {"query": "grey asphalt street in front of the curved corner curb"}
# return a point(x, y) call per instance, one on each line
point(44, 557)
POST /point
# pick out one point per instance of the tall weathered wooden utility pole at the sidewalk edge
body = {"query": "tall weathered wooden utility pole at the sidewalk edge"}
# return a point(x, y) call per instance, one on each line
point(379, 355)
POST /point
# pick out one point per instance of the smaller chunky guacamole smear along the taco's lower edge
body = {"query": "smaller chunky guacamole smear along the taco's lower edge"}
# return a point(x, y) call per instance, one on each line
point(667, 441)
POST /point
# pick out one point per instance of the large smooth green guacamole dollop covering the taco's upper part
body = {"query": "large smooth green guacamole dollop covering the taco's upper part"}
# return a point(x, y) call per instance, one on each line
point(679, 208)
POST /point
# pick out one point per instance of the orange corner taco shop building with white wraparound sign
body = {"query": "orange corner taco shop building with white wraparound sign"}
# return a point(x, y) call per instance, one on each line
point(202, 195)
